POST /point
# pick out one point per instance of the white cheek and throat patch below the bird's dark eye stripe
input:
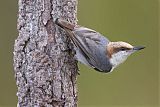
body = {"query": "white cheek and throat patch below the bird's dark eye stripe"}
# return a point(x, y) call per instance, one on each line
point(118, 58)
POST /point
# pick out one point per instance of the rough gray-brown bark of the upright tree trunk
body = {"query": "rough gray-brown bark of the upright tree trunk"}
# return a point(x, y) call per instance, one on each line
point(45, 69)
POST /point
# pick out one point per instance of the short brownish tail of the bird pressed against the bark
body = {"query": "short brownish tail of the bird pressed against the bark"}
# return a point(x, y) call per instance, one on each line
point(64, 24)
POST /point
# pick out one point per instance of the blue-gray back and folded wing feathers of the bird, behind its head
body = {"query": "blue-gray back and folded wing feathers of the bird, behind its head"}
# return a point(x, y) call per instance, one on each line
point(96, 45)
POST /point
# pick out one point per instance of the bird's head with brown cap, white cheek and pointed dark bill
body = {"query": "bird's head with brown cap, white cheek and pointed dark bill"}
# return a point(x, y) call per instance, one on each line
point(119, 51)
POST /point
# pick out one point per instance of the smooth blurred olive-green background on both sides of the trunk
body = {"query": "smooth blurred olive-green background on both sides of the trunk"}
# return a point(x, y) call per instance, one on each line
point(133, 84)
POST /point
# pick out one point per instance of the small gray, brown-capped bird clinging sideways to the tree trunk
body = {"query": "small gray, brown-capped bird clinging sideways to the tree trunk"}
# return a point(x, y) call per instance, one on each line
point(95, 50)
